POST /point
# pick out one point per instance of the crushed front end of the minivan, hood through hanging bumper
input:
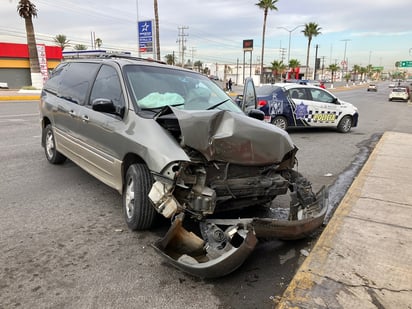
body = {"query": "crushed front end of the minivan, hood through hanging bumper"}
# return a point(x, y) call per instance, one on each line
point(236, 163)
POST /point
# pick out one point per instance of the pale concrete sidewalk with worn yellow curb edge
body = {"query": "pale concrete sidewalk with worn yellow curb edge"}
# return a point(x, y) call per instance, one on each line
point(363, 259)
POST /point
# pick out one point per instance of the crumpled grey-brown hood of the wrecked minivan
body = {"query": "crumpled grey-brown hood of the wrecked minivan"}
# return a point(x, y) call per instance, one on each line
point(232, 137)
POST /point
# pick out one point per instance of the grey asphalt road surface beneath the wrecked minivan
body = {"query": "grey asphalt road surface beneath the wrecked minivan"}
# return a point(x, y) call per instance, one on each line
point(64, 243)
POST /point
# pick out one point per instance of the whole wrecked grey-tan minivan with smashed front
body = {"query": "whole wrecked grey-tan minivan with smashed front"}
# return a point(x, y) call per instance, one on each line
point(174, 143)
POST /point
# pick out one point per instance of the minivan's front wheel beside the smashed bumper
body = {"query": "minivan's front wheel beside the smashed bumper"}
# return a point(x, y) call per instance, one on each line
point(138, 210)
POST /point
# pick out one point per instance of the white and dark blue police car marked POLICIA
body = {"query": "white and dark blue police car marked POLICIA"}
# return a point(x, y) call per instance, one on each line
point(294, 105)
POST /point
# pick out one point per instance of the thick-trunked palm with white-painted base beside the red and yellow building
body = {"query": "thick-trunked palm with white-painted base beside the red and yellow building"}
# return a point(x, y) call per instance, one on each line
point(28, 10)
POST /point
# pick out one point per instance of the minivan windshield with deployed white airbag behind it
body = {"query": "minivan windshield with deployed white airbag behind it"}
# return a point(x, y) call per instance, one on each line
point(154, 87)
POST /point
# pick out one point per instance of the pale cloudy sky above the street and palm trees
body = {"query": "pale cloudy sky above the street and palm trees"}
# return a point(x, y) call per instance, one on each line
point(376, 32)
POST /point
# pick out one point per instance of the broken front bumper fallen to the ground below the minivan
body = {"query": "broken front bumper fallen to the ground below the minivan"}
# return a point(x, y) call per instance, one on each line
point(226, 243)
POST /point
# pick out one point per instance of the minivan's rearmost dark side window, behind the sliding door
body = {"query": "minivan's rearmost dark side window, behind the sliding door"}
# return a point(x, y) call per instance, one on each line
point(72, 81)
